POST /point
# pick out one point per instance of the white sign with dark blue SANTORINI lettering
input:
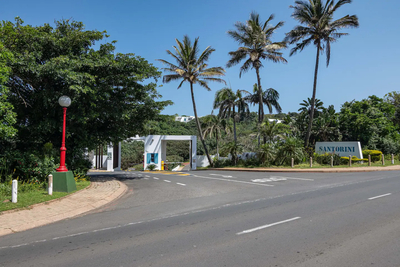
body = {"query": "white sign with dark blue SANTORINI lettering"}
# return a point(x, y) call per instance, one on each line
point(343, 149)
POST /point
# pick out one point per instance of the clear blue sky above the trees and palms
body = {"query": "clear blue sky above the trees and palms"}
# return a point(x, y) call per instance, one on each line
point(362, 64)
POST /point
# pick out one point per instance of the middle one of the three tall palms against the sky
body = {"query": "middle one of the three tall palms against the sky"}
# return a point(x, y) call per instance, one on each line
point(255, 38)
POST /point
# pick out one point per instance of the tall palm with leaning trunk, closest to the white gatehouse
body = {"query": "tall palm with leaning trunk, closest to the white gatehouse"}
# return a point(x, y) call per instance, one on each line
point(192, 68)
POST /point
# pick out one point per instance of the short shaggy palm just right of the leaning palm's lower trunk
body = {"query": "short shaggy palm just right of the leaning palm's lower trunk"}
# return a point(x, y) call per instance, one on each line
point(214, 126)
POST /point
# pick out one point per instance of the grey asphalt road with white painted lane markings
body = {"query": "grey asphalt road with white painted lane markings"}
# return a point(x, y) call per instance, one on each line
point(227, 219)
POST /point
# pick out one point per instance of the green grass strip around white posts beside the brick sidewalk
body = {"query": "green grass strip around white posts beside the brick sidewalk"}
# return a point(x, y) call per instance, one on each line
point(34, 196)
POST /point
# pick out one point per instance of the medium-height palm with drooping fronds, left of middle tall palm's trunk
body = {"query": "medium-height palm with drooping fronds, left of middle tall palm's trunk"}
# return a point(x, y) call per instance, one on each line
point(227, 101)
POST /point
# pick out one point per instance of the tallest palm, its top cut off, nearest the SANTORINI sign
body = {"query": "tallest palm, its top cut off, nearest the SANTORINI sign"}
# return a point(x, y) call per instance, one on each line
point(321, 30)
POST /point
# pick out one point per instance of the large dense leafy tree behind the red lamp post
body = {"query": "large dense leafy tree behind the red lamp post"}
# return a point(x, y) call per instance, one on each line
point(112, 94)
